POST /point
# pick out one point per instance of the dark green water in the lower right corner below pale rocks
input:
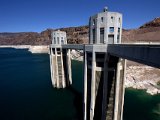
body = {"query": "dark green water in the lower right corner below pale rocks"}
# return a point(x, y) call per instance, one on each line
point(139, 105)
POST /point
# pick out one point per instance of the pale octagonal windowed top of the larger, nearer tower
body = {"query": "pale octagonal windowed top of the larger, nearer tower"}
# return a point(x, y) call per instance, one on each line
point(105, 28)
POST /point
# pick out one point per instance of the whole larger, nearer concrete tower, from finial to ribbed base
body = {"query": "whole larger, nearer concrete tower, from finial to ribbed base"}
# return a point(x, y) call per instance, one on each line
point(100, 74)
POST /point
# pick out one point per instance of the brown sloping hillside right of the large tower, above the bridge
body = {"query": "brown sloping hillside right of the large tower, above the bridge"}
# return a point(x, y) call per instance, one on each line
point(149, 32)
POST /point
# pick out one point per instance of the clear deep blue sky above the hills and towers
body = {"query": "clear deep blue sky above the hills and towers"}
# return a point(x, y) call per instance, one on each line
point(38, 15)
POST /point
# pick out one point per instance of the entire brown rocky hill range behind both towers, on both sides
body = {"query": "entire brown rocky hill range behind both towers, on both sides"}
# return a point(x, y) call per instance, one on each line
point(149, 32)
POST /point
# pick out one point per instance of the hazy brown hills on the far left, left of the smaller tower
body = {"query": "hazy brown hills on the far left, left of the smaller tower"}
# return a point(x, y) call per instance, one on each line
point(25, 38)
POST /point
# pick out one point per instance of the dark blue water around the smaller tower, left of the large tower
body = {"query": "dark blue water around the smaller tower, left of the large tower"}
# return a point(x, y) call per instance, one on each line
point(26, 92)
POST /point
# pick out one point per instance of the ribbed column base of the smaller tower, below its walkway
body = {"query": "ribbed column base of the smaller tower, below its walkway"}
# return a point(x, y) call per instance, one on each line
point(60, 64)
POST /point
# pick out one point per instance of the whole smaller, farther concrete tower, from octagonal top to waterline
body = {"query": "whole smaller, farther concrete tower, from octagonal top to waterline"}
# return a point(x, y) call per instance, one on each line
point(60, 61)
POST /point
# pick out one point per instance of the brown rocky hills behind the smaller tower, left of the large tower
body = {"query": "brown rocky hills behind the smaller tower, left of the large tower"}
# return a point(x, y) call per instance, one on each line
point(74, 35)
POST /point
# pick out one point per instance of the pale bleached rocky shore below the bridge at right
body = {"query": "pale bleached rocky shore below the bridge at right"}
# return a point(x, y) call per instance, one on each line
point(143, 78)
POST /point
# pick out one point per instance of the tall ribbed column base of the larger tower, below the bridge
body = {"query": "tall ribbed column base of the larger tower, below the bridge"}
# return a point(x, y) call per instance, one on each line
point(103, 86)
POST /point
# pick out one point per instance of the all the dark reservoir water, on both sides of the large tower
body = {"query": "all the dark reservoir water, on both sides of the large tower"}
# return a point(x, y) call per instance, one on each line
point(26, 91)
